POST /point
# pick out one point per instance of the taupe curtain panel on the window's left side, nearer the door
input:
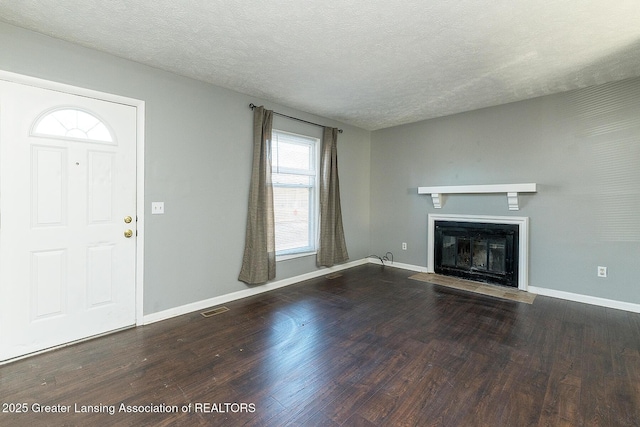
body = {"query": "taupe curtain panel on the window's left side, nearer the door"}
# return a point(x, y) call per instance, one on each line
point(259, 261)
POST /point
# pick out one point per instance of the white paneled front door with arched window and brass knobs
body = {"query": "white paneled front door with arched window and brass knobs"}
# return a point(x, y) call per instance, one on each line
point(67, 188)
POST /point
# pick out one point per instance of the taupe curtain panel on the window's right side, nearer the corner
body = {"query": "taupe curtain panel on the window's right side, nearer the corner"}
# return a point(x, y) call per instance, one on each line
point(332, 248)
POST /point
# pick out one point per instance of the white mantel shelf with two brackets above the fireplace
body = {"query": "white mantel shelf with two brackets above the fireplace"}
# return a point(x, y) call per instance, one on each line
point(511, 190)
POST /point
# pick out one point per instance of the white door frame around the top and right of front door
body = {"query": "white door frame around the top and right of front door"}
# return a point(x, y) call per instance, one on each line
point(140, 114)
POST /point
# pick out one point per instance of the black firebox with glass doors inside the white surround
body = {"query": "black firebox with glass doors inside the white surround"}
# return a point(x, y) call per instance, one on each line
point(485, 252)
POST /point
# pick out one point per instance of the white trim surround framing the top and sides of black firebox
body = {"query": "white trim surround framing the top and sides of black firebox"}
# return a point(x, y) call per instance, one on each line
point(523, 239)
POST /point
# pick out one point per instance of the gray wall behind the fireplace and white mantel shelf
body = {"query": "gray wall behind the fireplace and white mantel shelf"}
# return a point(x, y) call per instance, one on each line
point(581, 147)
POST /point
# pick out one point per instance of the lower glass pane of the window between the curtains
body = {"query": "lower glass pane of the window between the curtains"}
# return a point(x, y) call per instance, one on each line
point(291, 209)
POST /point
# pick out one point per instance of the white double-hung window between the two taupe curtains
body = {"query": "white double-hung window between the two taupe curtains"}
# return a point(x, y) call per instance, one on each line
point(294, 160)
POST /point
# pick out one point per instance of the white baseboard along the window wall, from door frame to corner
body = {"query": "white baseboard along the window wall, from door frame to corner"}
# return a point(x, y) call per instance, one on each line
point(223, 299)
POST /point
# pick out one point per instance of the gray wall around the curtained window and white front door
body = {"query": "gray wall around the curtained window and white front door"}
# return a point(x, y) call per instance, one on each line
point(197, 160)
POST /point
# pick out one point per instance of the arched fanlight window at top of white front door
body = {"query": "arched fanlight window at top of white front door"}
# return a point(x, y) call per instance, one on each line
point(72, 123)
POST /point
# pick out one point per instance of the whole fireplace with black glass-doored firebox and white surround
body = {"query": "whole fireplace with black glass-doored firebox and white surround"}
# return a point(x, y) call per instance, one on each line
point(491, 249)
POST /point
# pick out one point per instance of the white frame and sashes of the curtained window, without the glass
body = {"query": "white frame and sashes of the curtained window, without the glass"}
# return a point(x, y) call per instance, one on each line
point(314, 208)
